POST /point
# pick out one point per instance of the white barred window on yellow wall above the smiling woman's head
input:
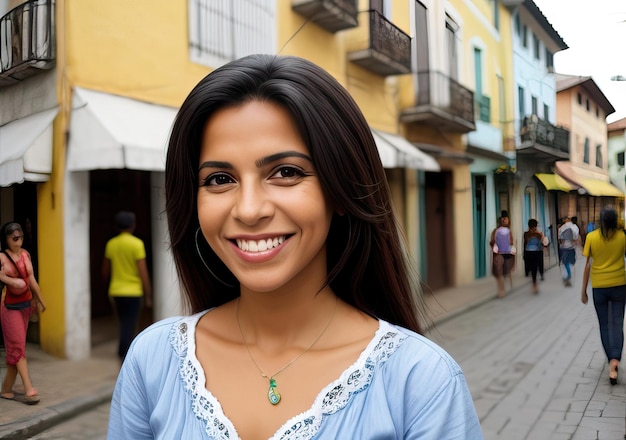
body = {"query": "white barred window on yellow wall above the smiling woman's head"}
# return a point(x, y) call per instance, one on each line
point(223, 30)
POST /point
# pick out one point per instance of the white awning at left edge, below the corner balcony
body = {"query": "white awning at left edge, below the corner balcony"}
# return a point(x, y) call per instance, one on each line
point(26, 148)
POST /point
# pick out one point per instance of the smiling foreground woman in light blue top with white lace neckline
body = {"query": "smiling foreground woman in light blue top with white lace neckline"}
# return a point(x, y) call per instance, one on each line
point(306, 318)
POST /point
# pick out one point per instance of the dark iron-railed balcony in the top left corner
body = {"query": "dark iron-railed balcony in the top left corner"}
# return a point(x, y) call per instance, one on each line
point(27, 41)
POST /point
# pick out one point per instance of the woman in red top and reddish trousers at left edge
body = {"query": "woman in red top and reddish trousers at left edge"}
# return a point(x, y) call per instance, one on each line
point(22, 297)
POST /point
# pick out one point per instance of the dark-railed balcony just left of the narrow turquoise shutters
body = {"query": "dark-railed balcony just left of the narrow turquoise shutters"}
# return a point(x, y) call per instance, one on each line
point(443, 103)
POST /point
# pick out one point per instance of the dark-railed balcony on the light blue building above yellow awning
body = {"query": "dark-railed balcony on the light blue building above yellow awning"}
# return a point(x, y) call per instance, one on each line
point(543, 140)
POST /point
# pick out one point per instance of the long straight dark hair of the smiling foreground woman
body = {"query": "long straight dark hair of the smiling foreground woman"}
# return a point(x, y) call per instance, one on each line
point(366, 254)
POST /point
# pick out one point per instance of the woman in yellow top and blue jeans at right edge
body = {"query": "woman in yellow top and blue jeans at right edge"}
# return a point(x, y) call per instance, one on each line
point(605, 249)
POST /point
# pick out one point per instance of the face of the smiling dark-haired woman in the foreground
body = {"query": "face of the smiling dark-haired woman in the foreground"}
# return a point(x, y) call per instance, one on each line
point(260, 203)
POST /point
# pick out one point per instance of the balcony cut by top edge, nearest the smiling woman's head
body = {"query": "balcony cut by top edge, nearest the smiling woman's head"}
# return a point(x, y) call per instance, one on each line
point(332, 15)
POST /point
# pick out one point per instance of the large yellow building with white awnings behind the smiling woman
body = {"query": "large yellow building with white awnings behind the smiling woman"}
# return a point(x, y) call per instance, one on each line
point(106, 99)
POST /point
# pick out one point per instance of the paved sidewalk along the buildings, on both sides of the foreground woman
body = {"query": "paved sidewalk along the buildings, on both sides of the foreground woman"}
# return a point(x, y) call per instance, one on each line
point(68, 388)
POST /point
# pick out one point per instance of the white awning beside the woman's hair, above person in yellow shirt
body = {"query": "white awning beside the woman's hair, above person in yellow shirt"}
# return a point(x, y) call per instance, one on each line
point(114, 132)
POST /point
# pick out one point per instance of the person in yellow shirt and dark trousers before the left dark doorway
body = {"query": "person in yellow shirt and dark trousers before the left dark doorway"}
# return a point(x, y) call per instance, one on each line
point(125, 264)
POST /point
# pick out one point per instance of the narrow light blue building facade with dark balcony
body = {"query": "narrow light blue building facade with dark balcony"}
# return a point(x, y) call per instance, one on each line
point(539, 142)
